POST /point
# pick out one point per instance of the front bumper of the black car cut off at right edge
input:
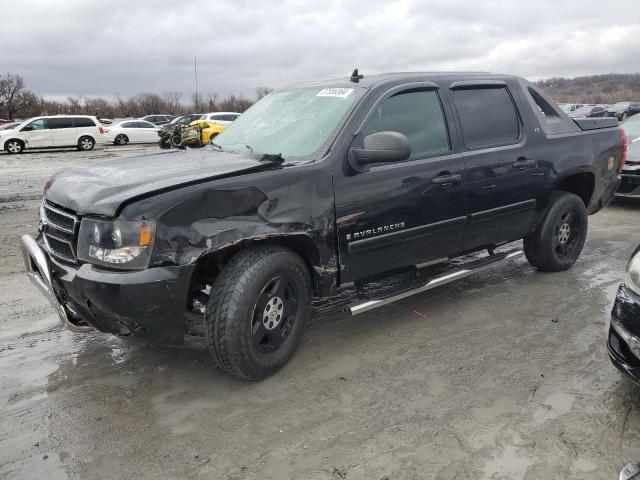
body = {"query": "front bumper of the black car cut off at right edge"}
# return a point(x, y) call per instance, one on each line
point(625, 328)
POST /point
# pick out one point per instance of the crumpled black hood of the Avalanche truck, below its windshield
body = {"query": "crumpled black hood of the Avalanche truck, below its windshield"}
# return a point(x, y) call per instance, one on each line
point(102, 187)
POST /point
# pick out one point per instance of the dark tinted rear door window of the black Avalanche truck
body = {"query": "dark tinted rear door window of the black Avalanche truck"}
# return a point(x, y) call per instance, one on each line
point(487, 116)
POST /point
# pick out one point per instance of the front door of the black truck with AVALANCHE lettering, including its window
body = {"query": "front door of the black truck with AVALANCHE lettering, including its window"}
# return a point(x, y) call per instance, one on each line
point(403, 213)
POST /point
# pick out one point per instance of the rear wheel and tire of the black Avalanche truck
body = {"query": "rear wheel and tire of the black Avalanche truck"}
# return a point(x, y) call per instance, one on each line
point(558, 239)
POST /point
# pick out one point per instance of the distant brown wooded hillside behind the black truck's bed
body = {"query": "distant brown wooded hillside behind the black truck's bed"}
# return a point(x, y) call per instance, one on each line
point(610, 88)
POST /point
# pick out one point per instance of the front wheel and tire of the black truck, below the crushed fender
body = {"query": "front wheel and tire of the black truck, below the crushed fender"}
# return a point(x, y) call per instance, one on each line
point(244, 335)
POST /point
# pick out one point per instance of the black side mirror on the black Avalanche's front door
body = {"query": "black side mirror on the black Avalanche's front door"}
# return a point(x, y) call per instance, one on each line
point(380, 147)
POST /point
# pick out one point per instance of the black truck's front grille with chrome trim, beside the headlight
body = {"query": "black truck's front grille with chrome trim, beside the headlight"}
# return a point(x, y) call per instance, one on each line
point(59, 232)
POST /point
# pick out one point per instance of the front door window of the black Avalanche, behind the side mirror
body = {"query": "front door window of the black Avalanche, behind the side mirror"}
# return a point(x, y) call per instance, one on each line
point(418, 115)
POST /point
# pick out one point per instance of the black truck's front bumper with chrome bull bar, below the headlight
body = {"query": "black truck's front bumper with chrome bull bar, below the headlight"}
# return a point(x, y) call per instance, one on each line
point(151, 301)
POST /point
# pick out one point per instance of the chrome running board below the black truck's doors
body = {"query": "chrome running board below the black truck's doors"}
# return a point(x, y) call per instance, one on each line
point(462, 271)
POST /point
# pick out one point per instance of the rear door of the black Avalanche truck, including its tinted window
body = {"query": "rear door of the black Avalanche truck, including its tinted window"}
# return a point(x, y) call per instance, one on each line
point(503, 178)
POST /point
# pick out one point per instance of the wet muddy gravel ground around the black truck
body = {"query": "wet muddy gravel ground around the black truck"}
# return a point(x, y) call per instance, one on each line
point(503, 375)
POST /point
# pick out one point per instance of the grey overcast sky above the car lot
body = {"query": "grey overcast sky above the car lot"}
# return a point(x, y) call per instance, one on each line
point(79, 47)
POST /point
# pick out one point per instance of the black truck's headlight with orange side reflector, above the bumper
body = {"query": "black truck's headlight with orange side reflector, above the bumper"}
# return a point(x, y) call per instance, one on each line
point(118, 244)
